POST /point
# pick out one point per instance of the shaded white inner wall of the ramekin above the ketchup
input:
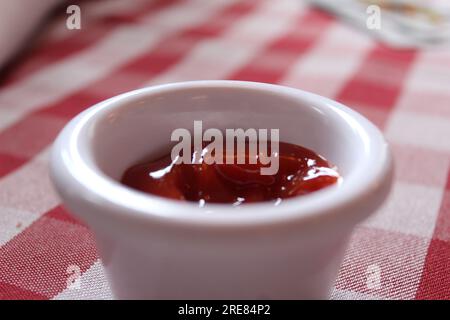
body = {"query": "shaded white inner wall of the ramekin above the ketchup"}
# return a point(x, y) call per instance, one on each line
point(130, 132)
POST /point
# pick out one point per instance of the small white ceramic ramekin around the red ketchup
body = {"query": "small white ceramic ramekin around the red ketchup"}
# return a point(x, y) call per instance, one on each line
point(158, 248)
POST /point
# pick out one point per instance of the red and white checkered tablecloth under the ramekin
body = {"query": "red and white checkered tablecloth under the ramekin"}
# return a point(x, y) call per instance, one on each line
point(124, 45)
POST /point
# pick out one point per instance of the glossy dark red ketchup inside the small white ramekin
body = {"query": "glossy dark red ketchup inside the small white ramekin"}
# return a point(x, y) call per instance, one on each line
point(234, 166)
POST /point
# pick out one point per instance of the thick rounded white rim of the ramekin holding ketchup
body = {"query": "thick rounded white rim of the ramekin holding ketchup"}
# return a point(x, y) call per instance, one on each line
point(88, 183)
